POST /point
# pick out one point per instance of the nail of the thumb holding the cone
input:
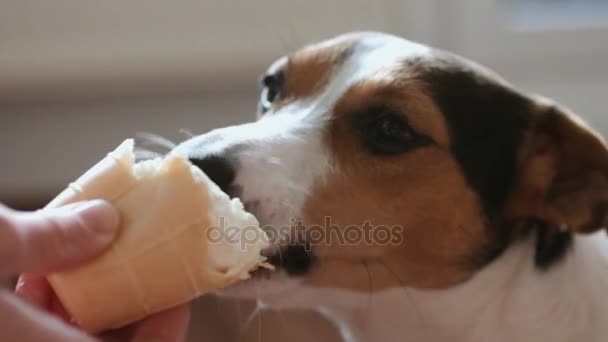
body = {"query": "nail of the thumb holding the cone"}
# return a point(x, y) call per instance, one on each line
point(99, 216)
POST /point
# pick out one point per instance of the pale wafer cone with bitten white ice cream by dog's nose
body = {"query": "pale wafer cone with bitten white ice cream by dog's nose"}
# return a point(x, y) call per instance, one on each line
point(162, 256)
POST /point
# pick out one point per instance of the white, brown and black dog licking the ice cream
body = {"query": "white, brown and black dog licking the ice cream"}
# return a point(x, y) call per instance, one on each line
point(500, 197)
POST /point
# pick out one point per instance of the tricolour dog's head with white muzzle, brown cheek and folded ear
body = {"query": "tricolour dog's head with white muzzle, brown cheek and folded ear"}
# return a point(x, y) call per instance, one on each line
point(409, 163)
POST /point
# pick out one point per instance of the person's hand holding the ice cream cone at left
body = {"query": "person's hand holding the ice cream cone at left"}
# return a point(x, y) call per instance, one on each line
point(44, 241)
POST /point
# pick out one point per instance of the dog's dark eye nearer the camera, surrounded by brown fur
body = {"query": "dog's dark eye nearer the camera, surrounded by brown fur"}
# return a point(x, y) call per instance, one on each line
point(386, 132)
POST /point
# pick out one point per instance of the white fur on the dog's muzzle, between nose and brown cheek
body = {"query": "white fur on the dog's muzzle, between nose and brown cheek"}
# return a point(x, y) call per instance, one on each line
point(279, 158)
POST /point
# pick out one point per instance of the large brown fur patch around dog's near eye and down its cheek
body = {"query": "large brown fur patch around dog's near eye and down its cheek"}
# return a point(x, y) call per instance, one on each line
point(441, 229)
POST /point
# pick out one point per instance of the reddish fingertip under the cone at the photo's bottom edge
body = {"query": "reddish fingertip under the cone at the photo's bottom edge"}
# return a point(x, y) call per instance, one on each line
point(168, 326)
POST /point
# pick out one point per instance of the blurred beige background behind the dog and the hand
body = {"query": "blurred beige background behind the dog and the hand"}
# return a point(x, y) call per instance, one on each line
point(79, 76)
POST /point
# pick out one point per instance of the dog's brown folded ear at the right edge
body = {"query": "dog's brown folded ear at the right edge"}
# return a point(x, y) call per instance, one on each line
point(563, 178)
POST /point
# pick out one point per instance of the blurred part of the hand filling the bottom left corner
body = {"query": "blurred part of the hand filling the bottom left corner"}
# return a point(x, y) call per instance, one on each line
point(22, 322)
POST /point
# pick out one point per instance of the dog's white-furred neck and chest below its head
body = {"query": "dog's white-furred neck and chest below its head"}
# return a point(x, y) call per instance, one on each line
point(509, 300)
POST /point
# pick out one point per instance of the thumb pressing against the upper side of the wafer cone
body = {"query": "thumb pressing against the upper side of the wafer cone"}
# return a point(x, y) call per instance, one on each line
point(55, 238)
